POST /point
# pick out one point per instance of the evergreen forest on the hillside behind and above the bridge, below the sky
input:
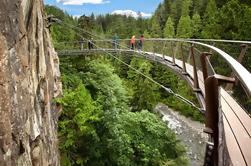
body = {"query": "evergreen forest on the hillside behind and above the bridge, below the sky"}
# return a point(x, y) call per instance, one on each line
point(216, 19)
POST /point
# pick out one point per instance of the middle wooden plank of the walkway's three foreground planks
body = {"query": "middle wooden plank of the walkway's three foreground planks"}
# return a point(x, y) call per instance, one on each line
point(242, 137)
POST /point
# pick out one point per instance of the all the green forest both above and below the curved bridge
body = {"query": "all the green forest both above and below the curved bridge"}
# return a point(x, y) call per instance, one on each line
point(108, 116)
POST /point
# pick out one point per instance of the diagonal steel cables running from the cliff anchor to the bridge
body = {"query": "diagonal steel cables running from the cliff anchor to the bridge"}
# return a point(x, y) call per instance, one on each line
point(170, 91)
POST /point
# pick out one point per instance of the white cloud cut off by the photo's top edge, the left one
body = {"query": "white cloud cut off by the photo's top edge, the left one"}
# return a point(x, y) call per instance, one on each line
point(81, 2)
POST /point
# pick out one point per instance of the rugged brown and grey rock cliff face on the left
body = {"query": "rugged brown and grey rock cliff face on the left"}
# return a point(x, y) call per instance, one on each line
point(29, 80)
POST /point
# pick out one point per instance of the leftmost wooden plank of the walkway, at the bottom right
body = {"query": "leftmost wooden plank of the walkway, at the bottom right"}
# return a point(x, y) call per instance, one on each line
point(232, 146)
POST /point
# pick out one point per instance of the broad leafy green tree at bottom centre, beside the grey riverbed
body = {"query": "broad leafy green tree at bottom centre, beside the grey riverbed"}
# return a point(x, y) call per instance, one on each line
point(140, 139)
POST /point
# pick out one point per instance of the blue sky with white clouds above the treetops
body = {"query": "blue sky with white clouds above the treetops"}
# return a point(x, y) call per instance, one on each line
point(128, 7)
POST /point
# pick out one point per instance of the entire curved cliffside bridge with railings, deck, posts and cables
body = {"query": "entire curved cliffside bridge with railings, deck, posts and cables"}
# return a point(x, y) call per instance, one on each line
point(227, 122)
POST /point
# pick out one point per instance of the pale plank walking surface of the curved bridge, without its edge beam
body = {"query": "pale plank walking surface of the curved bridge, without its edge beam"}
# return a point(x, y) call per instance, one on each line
point(236, 122)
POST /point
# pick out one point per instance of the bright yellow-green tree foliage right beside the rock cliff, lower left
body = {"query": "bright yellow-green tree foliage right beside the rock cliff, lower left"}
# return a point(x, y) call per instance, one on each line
point(76, 123)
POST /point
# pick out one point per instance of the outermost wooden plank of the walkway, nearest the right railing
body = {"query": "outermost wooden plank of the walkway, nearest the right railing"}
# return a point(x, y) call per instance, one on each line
point(240, 113)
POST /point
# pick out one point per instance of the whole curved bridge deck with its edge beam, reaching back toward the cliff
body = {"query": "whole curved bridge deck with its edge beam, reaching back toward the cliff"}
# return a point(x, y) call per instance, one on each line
point(236, 123)
